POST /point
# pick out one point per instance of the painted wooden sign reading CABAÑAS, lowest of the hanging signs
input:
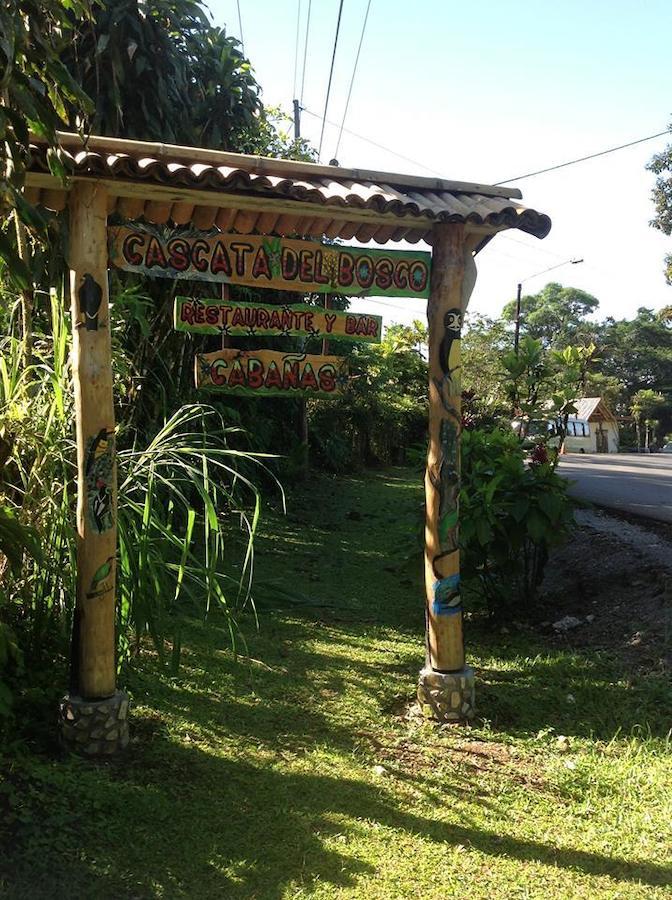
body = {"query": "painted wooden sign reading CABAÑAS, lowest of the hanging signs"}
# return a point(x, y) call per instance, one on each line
point(268, 373)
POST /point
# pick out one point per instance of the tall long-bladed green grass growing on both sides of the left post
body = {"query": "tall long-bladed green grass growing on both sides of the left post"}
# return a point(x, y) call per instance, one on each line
point(189, 503)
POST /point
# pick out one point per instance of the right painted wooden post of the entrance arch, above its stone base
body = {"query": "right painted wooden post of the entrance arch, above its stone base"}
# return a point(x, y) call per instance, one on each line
point(445, 647)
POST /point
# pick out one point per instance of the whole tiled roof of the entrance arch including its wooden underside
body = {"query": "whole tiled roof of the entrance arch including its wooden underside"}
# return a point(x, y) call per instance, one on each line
point(178, 185)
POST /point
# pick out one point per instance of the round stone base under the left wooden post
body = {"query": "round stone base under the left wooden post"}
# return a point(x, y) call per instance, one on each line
point(94, 728)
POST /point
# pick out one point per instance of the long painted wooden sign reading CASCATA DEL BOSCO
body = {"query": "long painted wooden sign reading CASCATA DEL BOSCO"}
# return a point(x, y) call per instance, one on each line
point(272, 262)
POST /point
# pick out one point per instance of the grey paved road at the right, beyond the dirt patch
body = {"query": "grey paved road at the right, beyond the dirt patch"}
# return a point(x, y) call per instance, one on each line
point(636, 483)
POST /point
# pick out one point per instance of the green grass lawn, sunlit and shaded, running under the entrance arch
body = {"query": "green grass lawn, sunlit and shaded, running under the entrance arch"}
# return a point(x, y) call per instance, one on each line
point(302, 770)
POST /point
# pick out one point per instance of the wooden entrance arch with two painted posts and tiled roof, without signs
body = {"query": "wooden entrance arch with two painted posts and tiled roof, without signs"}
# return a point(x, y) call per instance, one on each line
point(246, 195)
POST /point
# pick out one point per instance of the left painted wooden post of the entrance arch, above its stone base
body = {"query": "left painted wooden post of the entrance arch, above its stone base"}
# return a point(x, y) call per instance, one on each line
point(94, 643)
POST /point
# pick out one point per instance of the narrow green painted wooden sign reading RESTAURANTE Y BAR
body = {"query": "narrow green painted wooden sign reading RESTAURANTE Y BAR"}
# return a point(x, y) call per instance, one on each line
point(267, 319)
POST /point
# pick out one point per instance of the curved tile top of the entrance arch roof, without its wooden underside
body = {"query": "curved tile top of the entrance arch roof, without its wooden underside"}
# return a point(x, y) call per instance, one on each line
point(331, 189)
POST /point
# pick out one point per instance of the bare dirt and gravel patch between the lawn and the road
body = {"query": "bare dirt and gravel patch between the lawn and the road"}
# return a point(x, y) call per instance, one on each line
point(615, 576)
